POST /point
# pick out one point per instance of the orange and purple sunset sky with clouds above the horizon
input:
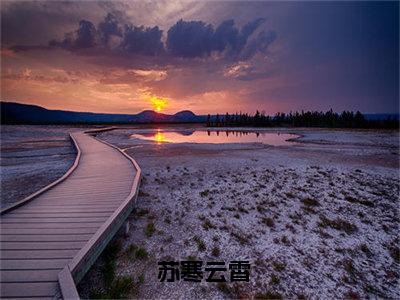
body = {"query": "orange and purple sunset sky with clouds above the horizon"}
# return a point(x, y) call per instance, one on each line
point(208, 57)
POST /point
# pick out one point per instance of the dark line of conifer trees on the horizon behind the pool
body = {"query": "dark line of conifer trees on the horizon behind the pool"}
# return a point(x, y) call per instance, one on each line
point(331, 119)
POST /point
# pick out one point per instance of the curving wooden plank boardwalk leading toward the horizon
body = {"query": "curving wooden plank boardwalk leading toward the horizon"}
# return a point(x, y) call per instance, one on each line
point(49, 242)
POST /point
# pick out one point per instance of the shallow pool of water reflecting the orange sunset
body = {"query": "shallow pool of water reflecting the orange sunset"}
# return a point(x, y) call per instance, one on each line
point(216, 137)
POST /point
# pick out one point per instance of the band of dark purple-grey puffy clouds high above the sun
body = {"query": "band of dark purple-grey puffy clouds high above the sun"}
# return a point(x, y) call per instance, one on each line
point(185, 39)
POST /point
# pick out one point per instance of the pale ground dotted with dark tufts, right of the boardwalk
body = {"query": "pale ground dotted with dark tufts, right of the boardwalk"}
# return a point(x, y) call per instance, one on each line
point(319, 219)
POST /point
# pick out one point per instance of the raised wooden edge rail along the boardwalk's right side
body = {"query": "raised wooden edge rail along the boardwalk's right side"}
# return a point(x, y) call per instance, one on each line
point(81, 263)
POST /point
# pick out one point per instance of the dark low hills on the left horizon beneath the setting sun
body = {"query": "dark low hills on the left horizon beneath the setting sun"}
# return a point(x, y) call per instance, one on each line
point(15, 113)
